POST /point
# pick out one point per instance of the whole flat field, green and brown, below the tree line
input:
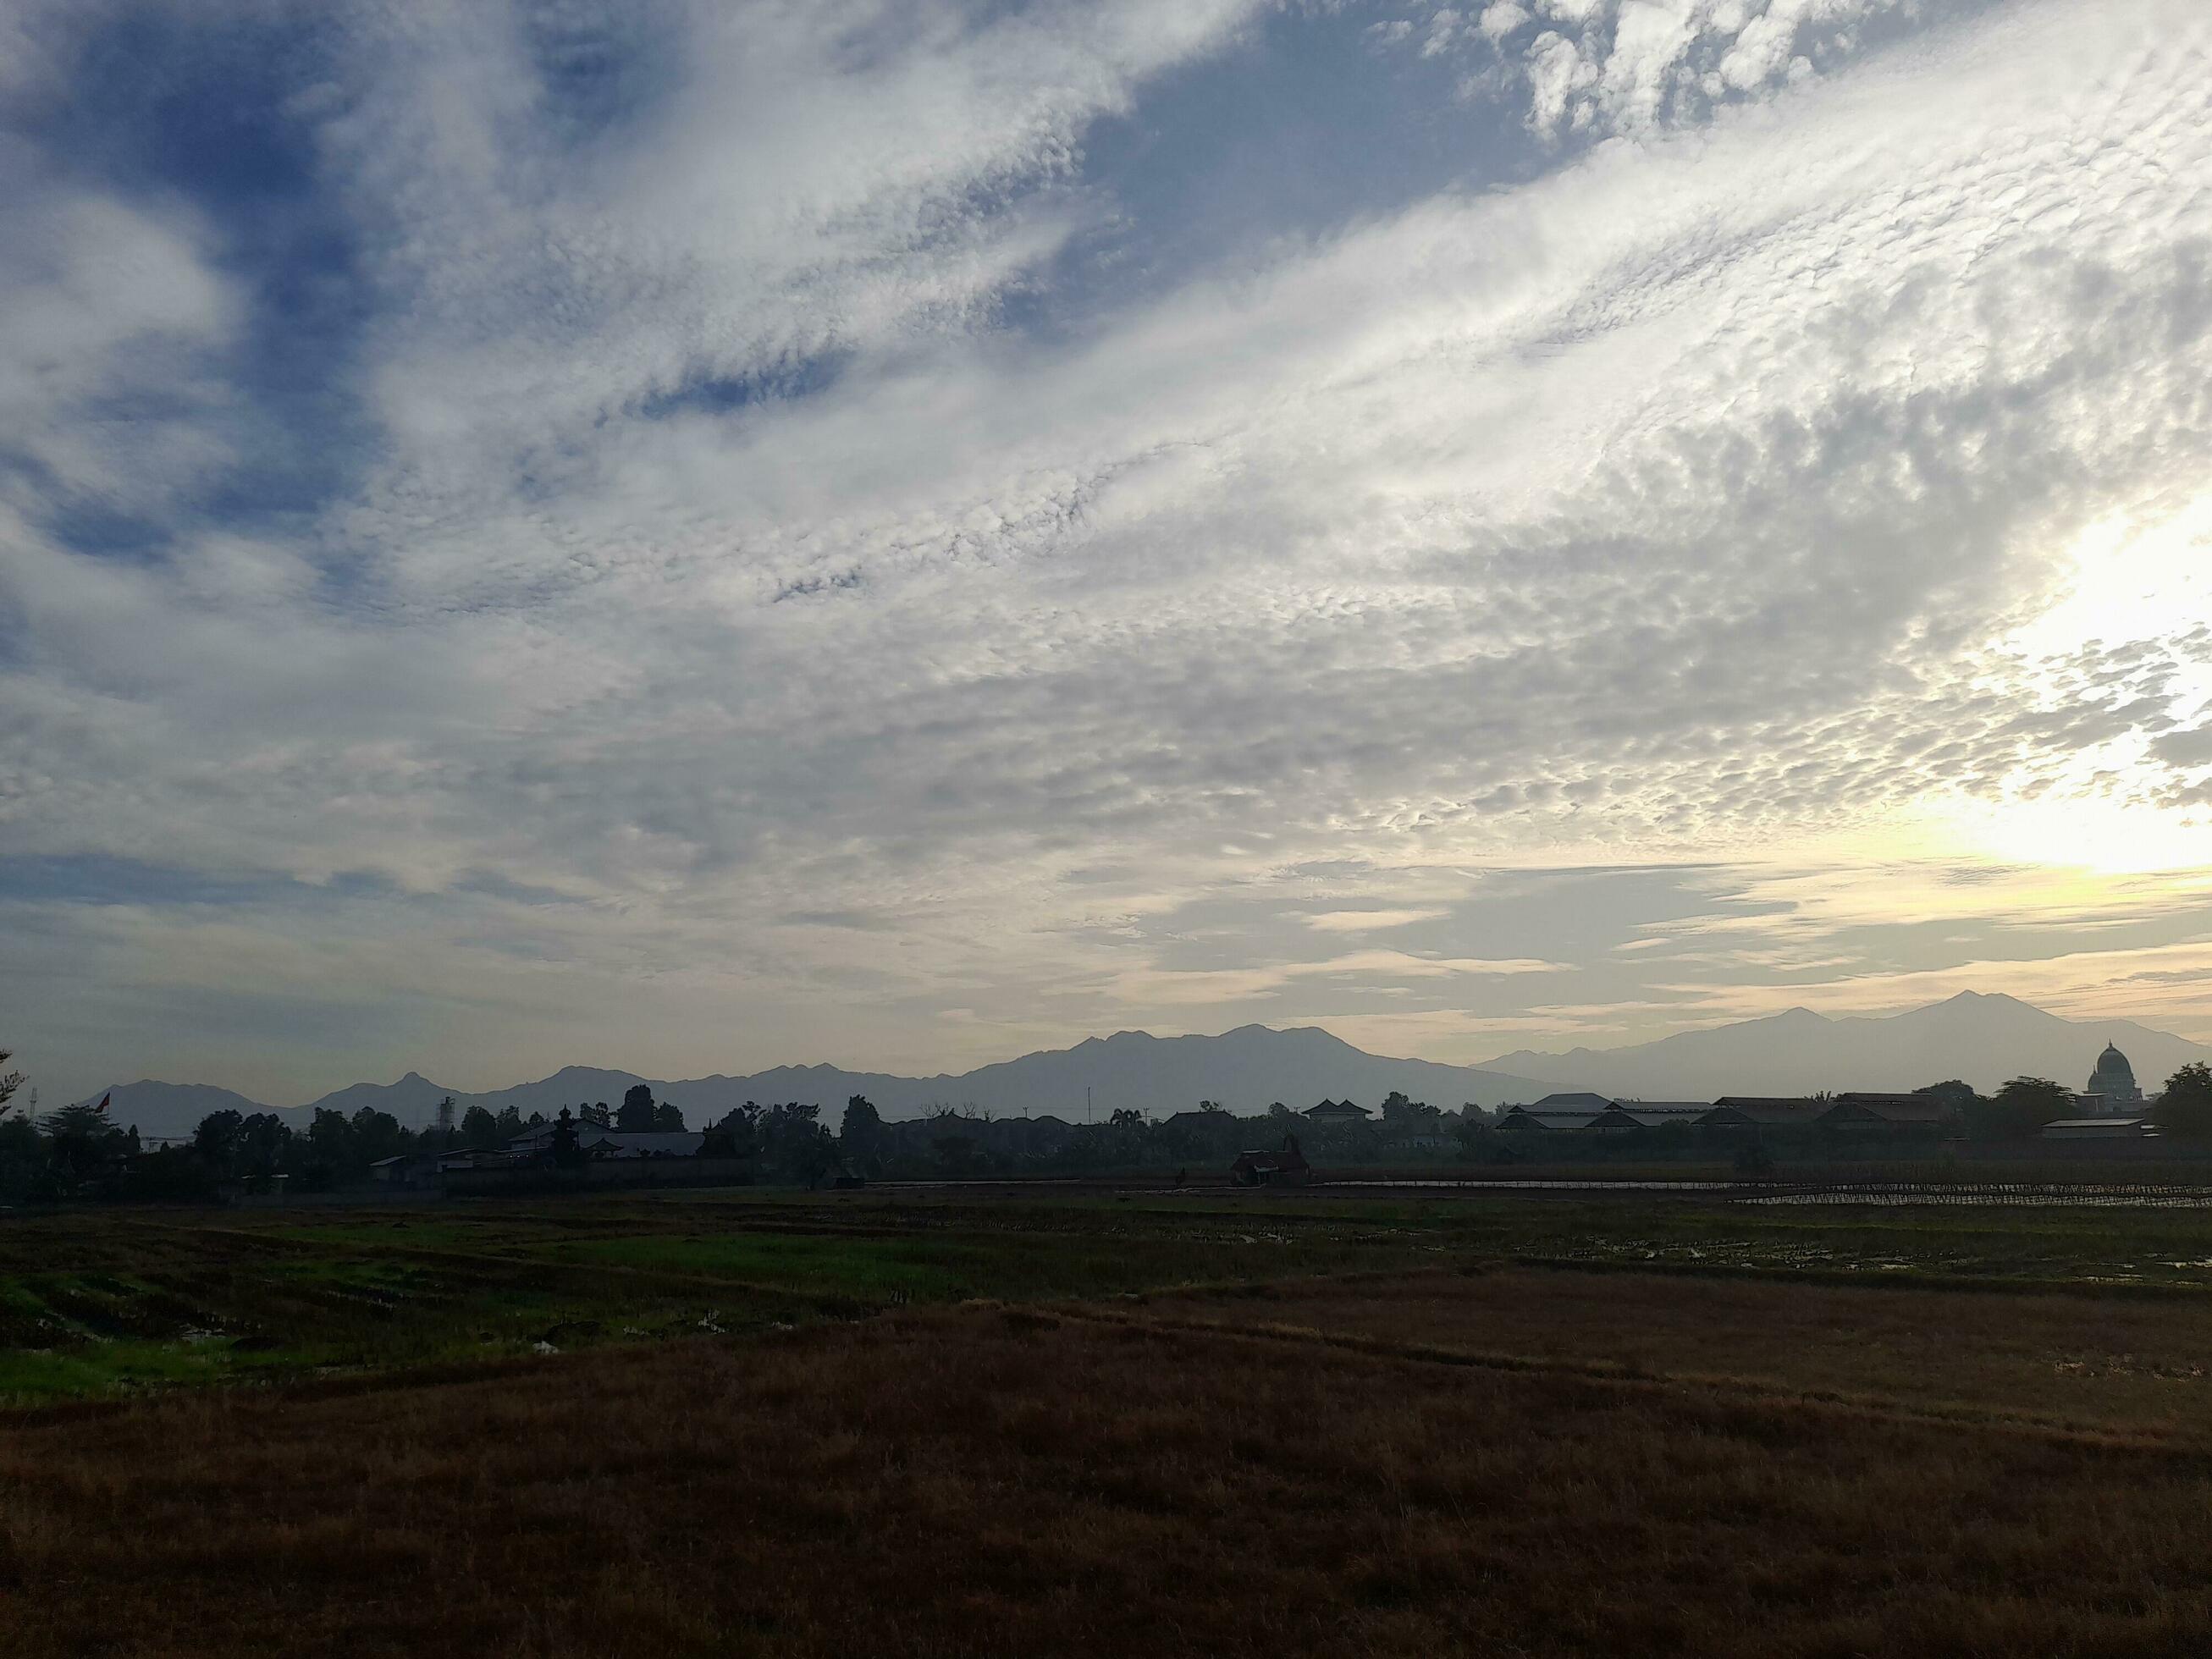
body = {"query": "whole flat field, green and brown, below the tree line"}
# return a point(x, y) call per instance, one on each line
point(1008, 1421)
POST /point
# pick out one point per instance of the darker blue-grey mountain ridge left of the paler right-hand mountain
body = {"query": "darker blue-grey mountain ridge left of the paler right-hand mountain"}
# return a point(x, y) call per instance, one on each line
point(1246, 1070)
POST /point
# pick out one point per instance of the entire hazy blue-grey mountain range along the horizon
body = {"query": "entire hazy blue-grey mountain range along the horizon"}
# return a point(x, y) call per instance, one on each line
point(1981, 1039)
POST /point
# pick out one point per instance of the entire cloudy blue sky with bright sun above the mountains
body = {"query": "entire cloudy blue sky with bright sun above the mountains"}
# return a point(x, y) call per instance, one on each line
point(705, 536)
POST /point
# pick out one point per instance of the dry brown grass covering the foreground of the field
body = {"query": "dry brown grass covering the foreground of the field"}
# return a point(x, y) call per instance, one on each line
point(997, 1481)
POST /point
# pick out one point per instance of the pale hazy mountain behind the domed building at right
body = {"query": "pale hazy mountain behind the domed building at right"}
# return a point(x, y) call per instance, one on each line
point(1981, 1039)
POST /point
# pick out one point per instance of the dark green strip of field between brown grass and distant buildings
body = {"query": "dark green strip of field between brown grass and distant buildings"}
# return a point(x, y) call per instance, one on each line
point(114, 1302)
